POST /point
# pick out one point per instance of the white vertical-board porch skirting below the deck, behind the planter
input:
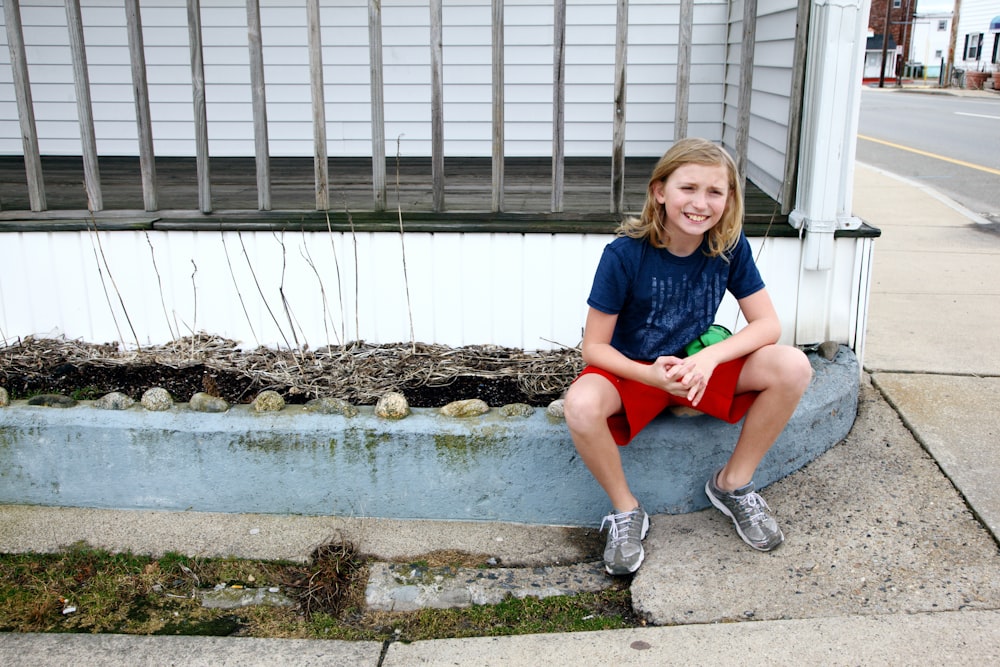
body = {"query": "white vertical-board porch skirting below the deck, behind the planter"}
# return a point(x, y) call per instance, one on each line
point(294, 289)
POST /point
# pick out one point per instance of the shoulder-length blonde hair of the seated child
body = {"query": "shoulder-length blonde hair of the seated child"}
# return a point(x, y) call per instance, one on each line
point(650, 225)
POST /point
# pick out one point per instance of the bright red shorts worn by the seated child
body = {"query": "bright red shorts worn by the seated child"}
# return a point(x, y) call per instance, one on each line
point(642, 403)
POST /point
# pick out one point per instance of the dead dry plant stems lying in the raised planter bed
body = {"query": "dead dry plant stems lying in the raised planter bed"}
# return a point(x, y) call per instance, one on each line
point(358, 372)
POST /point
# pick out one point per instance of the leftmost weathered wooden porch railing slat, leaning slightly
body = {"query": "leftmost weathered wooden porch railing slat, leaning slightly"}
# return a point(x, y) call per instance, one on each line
point(25, 108)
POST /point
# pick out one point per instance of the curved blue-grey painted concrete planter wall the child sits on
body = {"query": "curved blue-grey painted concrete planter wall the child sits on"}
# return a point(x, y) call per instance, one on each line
point(426, 466)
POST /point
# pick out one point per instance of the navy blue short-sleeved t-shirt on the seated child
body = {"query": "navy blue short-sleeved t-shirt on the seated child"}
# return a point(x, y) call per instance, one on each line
point(663, 302)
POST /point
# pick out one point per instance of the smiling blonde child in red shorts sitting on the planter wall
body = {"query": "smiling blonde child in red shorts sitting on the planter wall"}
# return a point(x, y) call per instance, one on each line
point(657, 288)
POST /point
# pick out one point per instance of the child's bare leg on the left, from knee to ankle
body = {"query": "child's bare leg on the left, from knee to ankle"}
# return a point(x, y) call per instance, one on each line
point(591, 399)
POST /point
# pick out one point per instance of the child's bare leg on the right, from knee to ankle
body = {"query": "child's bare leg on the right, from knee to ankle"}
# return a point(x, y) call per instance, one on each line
point(781, 374)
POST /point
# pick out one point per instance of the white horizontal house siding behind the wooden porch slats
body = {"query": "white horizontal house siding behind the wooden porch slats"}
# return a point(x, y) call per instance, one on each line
point(590, 35)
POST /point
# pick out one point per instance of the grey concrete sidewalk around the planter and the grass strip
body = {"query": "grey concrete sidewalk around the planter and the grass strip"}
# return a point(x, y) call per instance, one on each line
point(891, 554)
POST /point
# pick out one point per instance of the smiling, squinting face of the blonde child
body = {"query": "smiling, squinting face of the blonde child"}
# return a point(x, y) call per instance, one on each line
point(694, 197)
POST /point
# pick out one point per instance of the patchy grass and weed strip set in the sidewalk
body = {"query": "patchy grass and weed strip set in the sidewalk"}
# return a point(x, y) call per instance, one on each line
point(82, 589)
